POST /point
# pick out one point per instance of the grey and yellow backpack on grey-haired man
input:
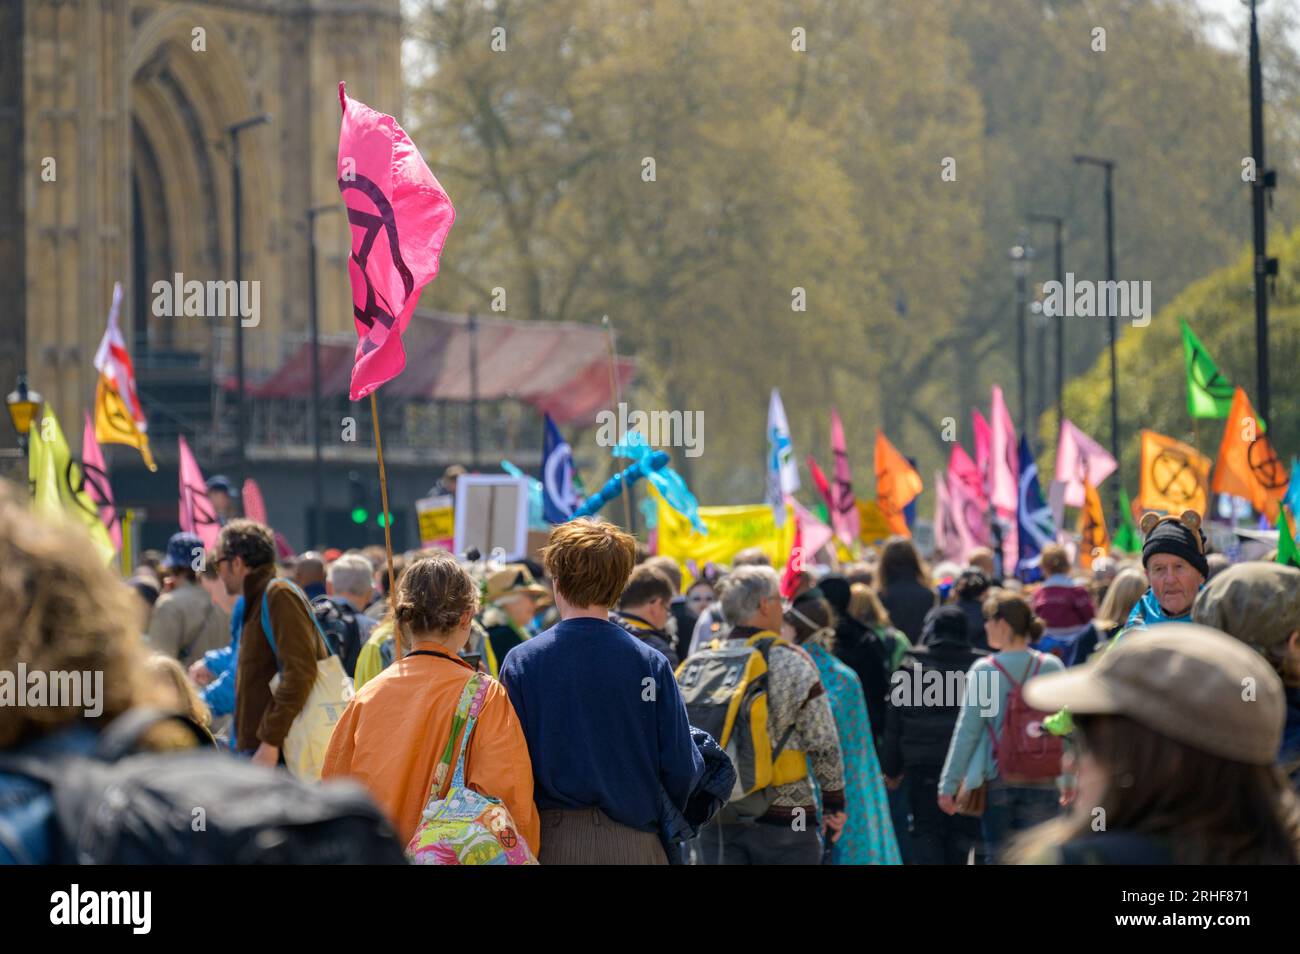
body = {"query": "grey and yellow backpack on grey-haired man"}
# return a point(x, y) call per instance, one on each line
point(725, 690)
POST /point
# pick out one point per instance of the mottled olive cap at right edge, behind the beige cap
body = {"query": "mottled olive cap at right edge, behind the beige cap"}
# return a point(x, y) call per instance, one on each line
point(1256, 602)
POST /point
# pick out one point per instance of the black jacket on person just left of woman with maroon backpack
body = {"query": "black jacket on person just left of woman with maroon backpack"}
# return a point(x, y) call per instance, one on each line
point(917, 735)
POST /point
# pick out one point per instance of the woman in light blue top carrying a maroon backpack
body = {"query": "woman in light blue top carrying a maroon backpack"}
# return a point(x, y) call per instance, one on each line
point(1013, 804)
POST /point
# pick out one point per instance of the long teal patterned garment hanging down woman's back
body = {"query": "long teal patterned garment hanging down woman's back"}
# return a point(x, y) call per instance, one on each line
point(868, 836)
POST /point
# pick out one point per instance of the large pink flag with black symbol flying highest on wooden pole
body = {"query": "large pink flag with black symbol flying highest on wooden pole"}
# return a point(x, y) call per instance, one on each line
point(401, 218)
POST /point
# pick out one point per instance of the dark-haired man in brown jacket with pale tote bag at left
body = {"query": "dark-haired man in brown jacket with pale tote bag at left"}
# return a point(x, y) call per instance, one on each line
point(246, 562)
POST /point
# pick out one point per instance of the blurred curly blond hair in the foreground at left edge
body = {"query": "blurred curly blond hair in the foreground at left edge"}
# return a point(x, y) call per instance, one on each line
point(66, 613)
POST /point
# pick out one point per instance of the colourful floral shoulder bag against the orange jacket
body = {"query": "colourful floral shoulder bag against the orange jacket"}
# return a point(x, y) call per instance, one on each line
point(461, 826)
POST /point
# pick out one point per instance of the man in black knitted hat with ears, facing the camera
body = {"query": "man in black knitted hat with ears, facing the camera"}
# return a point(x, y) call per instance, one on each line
point(1175, 558)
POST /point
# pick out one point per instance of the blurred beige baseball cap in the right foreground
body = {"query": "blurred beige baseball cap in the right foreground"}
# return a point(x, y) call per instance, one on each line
point(1189, 683)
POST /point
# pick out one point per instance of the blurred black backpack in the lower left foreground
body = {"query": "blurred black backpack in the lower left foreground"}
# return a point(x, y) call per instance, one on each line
point(200, 808)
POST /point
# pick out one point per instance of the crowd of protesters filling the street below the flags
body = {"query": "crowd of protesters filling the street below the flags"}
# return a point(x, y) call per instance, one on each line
point(913, 715)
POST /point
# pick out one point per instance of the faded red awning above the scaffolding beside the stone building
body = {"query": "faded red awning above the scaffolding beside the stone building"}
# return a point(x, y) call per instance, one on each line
point(561, 368)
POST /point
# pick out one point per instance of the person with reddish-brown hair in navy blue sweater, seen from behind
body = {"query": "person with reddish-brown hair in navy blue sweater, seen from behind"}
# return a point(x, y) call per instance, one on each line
point(605, 723)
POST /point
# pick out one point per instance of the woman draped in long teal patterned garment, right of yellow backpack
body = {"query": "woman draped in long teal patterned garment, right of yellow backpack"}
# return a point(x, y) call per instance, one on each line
point(868, 836)
